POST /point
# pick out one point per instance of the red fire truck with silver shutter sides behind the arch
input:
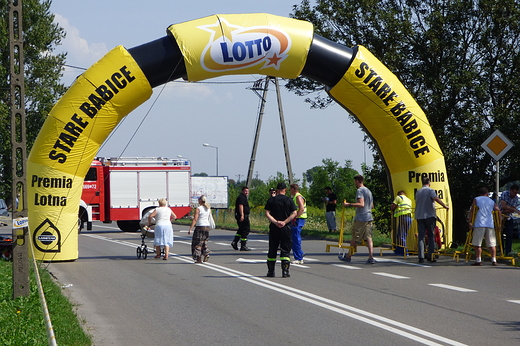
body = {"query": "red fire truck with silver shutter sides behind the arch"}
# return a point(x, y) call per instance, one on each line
point(123, 189)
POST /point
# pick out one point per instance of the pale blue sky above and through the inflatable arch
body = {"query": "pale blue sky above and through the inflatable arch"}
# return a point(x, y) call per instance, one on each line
point(180, 117)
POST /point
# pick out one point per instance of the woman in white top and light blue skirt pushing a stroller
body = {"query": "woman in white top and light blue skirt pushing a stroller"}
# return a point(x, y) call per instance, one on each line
point(163, 228)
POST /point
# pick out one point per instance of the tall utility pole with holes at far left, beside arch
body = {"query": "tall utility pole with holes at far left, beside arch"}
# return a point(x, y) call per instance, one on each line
point(19, 151)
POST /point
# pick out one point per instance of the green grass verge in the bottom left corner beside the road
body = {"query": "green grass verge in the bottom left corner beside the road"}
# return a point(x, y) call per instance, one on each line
point(21, 319)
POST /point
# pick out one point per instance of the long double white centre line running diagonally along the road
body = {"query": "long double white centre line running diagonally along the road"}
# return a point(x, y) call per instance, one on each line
point(401, 329)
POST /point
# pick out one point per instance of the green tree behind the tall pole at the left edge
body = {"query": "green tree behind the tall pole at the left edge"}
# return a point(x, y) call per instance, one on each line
point(42, 76)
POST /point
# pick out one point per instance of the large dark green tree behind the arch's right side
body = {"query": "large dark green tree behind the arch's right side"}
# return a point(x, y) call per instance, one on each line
point(458, 58)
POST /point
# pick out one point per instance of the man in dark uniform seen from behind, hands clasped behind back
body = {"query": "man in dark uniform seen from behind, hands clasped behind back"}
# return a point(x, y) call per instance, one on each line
point(280, 211)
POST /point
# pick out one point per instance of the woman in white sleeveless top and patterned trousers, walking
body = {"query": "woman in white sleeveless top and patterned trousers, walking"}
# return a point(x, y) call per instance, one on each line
point(199, 243)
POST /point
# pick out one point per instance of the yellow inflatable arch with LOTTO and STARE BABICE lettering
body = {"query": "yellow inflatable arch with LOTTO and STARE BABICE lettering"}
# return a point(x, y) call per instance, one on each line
point(206, 48)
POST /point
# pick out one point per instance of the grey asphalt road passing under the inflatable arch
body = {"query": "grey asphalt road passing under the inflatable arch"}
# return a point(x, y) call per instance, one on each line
point(229, 301)
